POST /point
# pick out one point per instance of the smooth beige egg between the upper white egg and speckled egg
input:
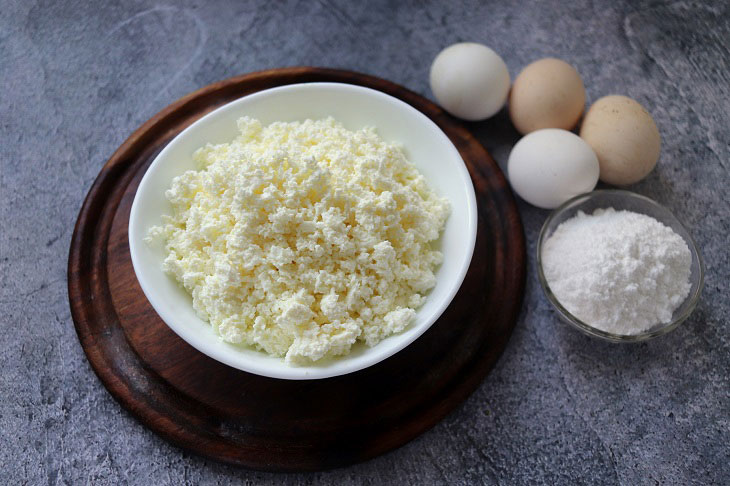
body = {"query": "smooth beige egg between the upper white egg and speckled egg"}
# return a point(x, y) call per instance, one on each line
point(548, 93)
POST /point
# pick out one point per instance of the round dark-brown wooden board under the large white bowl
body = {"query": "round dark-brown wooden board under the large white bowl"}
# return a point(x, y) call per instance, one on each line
point(270, 424)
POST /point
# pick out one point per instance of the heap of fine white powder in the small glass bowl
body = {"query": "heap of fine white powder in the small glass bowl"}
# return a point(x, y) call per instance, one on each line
point(618, 271)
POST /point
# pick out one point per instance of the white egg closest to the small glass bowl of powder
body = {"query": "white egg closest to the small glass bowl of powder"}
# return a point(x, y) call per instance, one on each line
point(549, 166)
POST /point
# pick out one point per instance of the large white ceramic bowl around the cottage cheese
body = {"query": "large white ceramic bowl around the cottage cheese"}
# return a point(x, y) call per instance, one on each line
point(355, 107)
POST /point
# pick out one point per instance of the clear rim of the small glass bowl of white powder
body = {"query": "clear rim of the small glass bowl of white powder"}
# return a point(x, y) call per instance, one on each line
point(693, 298)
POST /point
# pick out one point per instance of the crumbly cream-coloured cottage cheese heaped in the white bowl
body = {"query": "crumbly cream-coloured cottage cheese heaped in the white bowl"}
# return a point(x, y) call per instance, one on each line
point(302, 238)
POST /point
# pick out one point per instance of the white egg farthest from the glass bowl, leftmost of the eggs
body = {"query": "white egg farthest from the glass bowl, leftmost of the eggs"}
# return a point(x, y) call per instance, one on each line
point(470, 81)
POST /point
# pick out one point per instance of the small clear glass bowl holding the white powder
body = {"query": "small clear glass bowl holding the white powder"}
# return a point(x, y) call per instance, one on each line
point(622, 200)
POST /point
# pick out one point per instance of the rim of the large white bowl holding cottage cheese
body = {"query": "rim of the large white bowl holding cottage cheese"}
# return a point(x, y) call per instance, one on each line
point(308, 372)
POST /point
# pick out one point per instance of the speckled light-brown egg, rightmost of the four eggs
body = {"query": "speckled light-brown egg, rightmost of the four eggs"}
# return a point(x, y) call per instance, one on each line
point(624, 137)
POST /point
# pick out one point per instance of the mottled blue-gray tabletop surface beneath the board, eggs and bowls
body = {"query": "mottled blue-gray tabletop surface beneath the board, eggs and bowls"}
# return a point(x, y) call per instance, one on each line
point(78, 77)
